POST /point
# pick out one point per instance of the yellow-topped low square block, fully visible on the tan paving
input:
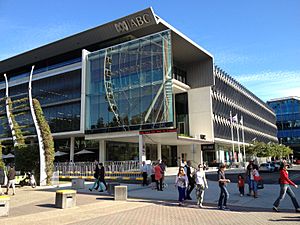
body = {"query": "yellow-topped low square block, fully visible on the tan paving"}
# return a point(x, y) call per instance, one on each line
point(65, 199)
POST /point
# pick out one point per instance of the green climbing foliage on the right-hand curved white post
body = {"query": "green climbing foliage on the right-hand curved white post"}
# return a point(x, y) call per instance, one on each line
point(47, 139)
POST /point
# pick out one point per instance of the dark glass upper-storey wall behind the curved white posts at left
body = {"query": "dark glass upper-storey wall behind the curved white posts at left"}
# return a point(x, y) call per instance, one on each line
point(59, 97)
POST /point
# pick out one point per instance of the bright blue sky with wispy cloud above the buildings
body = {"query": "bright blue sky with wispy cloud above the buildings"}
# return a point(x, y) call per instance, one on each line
point(257, 42)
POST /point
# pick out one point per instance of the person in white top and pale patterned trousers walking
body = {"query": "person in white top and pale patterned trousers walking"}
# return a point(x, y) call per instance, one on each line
point(201, 185)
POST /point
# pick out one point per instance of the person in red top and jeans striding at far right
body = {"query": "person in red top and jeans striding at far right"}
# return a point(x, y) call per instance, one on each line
point(285, 187)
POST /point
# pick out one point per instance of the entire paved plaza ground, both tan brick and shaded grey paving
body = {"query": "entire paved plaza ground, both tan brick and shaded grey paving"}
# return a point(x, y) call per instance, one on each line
point(147, 206)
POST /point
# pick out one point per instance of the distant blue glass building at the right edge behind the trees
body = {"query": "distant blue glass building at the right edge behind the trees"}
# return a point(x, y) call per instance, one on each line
point(288, 122)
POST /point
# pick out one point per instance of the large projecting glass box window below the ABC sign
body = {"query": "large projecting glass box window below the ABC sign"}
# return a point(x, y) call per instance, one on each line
point(129, 86)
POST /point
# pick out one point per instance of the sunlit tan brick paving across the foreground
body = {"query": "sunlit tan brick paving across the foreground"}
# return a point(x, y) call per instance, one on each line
point(36, 206)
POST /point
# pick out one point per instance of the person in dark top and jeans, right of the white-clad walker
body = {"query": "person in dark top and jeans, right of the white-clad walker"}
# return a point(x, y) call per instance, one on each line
point(224, 195)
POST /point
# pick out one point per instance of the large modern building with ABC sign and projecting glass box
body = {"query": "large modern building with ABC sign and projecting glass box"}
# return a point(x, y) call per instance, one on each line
point(133, 89)
